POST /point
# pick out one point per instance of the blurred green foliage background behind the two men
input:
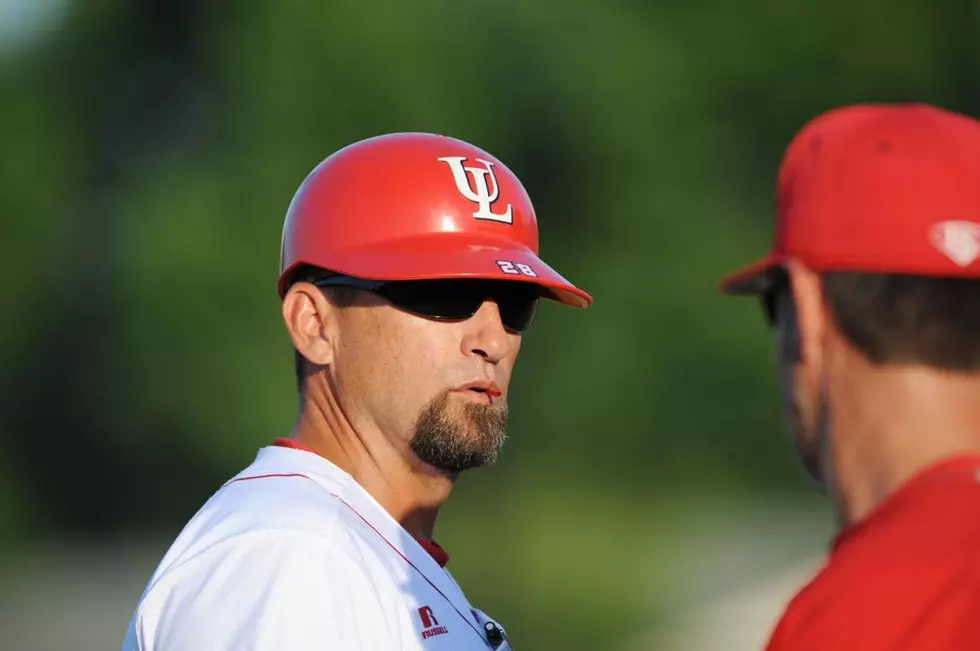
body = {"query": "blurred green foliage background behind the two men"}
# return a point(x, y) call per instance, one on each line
point(648, 498)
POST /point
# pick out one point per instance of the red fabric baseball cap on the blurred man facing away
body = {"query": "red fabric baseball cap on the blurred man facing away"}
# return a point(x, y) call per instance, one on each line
point(887, 188)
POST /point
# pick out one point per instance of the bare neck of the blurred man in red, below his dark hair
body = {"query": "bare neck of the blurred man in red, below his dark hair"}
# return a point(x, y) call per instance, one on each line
point(889, 424)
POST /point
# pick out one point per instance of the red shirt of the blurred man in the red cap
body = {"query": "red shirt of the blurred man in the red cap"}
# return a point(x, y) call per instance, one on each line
point(906, 578)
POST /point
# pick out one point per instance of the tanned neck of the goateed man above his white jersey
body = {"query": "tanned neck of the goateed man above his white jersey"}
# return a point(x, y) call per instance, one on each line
point(409, 490)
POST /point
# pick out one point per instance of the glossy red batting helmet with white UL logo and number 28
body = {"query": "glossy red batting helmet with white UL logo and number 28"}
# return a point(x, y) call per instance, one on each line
point(411, 206)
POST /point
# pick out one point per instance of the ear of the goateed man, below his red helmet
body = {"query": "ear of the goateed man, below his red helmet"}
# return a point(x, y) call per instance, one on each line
point(310, 319)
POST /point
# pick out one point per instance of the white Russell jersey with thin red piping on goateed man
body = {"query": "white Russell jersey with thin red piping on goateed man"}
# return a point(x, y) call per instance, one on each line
point(292, 553)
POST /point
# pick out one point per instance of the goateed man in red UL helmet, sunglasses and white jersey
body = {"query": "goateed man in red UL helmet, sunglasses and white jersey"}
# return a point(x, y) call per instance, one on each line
point(409, 272)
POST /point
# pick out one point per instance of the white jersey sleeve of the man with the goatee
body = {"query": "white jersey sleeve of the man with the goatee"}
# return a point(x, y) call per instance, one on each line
point(267, 591)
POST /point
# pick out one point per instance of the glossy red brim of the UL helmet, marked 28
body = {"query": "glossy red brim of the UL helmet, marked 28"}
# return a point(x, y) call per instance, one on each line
point(455, 255)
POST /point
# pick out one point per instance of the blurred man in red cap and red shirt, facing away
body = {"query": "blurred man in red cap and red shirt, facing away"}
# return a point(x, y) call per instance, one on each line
point(872, 289)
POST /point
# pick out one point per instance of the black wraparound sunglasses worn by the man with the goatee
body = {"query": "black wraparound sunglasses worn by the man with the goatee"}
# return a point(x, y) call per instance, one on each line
point(451, 299)
